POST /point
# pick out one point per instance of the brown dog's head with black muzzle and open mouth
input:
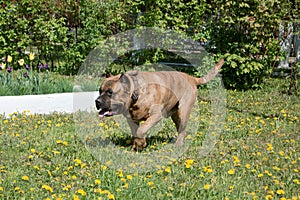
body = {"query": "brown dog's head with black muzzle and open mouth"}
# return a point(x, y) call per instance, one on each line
point(114, 95)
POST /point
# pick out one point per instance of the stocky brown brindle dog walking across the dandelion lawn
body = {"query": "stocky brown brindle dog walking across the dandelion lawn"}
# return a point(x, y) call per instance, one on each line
point(149, 96)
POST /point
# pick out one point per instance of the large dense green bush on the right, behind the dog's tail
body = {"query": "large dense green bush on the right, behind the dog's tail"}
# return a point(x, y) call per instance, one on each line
point(246, 34)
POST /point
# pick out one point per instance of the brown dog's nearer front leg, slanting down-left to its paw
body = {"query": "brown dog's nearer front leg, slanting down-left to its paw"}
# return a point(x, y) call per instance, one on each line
point(155, 115)
